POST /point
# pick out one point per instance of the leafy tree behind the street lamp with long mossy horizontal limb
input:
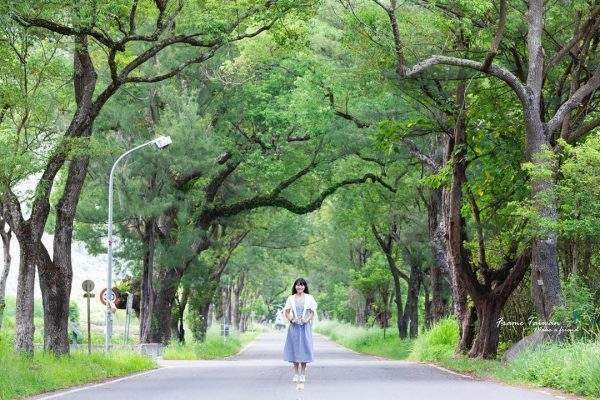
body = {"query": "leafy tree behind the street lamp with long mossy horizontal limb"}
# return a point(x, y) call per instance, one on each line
point(253, 160)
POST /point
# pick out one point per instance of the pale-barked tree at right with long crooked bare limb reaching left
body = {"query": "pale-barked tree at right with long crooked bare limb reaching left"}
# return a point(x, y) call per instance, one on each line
point(541, 133)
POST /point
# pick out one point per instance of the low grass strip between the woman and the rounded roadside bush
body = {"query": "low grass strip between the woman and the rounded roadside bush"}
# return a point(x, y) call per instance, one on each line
point(366, 340)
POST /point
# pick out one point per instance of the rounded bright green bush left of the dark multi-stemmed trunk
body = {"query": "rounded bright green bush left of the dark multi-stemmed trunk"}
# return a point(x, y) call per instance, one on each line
point(437, 343)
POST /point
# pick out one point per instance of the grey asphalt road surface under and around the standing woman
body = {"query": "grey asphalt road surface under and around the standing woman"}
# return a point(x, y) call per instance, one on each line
point(258, 373)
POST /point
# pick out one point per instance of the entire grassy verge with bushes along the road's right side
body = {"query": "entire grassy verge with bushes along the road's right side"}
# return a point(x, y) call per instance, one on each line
point(571, 367)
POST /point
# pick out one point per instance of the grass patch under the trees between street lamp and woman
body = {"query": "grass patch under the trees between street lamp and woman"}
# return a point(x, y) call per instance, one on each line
point(213, 347)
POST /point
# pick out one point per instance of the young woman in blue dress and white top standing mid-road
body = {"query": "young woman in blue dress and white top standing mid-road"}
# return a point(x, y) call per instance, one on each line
point(300, 310)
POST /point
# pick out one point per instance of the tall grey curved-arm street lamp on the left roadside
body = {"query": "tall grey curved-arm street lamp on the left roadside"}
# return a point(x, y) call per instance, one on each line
point(160, 142)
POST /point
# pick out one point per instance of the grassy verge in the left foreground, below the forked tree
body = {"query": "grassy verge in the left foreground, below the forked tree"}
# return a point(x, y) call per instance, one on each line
point(25, 376)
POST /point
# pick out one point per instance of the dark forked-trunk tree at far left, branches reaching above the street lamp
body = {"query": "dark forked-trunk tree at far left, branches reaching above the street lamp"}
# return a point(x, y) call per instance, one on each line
point(98, 33)
